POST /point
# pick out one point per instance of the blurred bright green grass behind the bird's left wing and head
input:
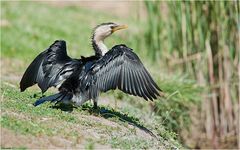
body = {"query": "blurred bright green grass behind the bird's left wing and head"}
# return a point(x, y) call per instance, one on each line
point(29, 33)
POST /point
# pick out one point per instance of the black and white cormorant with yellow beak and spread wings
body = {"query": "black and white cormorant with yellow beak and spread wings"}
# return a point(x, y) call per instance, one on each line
point(83, 79)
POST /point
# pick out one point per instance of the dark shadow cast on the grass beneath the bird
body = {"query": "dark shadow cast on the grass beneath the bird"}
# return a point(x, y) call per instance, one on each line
point(107, 113)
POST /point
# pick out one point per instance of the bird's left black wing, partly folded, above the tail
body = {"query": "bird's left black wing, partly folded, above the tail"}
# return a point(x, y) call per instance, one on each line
point(49, 68)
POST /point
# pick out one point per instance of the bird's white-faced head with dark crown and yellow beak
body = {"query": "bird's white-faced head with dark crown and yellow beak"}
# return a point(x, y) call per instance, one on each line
point(104, 30)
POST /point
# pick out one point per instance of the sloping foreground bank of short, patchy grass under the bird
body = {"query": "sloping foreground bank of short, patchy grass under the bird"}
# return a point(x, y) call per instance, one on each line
point(79, 127)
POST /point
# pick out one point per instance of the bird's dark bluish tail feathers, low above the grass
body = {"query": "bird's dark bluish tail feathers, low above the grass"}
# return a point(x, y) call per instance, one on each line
point(54, 98)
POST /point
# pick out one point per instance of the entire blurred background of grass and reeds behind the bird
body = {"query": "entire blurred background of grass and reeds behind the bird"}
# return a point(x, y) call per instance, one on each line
point(190, 48)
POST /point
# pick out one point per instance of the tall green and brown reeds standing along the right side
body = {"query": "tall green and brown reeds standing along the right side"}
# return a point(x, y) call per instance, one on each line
point(201, 39)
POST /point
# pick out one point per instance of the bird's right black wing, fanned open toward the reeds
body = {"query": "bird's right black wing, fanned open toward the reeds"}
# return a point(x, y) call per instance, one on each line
point(121, 68)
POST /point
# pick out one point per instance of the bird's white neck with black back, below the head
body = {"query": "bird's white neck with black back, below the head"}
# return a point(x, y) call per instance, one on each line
point(99, 47)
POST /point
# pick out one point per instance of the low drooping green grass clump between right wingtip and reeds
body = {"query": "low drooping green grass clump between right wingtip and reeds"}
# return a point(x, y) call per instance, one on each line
point(181, 94)
